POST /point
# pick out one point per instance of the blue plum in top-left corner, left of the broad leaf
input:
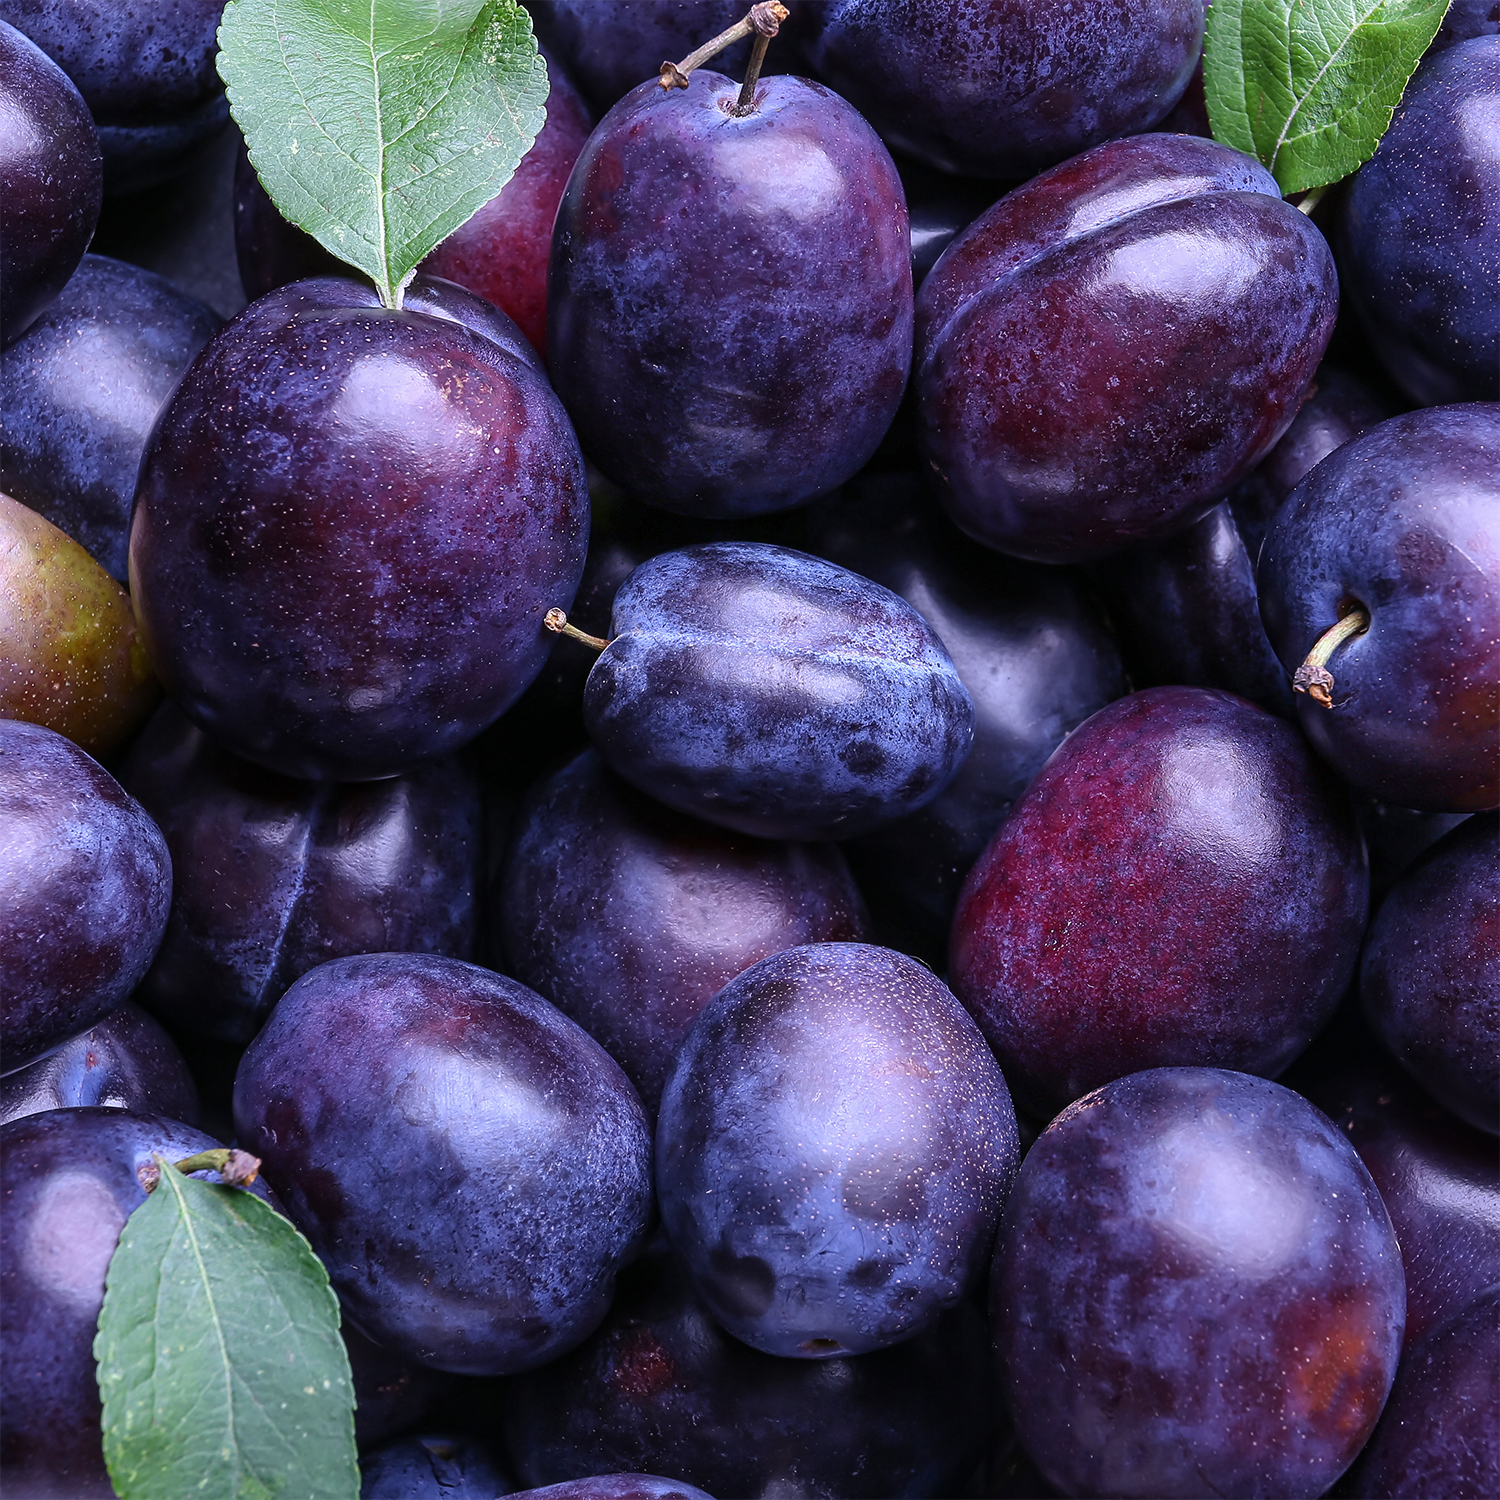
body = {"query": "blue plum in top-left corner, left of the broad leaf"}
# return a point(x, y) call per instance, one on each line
point(145, 68)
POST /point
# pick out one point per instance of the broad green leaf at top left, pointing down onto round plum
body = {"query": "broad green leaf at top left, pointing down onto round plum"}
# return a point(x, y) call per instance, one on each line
point(380, 127)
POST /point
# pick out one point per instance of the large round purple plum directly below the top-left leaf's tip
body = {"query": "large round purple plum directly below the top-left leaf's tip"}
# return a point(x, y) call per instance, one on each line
point(349, 526)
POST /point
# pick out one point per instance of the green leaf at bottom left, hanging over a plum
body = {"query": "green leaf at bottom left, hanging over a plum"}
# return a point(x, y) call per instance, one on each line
point(221, 1366)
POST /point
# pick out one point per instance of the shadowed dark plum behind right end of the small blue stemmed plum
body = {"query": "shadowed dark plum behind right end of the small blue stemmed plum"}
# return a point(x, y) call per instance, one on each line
point(1031, 647)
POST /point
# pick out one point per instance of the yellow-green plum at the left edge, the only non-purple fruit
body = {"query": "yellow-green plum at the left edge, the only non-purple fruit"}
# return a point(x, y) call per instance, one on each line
point(71, 658)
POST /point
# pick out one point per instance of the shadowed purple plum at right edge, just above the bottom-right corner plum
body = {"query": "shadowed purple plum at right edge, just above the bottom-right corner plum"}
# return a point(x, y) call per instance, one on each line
point(1438, 1177)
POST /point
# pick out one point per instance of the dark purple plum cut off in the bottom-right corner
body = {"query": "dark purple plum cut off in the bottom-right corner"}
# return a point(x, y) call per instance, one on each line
point(1441, 1435)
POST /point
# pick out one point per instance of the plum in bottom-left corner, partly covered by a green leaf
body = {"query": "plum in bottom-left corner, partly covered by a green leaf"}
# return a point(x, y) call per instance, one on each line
point(68, 1181)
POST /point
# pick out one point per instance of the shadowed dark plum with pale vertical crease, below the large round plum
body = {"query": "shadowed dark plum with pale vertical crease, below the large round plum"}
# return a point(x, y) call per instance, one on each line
point(275, 877)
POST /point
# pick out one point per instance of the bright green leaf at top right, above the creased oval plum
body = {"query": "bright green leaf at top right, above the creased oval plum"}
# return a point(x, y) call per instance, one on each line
point(1310, 86)
